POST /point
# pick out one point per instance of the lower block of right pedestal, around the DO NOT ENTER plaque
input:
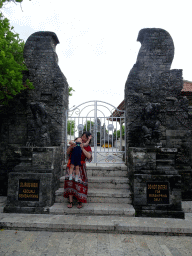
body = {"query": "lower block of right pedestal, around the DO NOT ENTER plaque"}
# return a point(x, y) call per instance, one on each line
point(169, 208)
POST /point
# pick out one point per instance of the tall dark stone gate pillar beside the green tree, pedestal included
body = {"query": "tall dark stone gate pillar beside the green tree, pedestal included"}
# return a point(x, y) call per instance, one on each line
point(33, 182)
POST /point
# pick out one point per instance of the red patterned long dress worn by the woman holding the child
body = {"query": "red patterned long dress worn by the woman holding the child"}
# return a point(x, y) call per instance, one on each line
point(78, 189)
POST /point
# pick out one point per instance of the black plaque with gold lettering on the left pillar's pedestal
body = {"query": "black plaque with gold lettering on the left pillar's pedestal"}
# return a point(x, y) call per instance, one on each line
point(28, 190)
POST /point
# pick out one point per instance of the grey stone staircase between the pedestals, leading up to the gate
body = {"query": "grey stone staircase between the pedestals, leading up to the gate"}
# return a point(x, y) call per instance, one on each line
point(108, 193)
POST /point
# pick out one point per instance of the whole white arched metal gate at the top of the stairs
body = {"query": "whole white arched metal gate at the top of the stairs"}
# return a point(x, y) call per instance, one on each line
point(106, 147)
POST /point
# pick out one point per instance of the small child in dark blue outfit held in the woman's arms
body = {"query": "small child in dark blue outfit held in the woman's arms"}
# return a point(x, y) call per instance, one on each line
point(76, 157)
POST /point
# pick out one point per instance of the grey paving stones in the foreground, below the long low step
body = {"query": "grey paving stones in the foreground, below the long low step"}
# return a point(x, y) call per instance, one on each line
point(41, 243)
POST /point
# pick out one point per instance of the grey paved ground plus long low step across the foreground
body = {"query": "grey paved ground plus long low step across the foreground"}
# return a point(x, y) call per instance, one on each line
point(56, 235)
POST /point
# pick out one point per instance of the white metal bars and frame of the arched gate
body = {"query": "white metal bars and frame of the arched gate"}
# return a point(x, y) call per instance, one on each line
point(95, 104)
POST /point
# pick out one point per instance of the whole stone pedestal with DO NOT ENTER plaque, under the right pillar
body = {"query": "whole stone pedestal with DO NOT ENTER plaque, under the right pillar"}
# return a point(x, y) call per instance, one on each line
point(155, 183)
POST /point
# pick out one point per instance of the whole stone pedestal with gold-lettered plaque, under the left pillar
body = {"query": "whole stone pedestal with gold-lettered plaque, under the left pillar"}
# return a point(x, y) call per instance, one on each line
point(32, 184)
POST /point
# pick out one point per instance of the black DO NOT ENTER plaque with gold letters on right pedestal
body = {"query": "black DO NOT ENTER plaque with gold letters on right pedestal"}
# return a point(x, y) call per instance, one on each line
point(157, 193)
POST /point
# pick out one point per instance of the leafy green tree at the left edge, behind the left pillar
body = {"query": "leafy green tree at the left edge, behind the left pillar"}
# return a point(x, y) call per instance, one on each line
point(11, 61)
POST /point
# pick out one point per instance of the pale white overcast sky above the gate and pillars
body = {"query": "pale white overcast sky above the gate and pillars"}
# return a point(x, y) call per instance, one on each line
point(98, 44)
